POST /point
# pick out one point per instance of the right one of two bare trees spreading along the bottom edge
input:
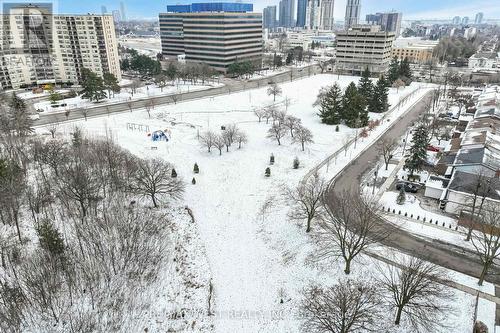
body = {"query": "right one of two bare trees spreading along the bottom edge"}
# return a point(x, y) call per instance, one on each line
point(415, 292)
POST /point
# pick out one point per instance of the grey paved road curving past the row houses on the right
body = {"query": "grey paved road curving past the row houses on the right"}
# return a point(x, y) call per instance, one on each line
point(440, 253)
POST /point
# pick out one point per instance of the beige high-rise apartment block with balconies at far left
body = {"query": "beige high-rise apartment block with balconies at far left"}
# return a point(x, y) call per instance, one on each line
point(59, 51)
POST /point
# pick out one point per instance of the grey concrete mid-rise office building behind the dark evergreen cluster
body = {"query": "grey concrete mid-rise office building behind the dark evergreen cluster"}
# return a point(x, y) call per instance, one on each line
point(364, 47)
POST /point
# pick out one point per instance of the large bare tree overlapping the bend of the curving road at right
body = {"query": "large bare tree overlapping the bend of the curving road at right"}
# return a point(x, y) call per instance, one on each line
point(348, 228)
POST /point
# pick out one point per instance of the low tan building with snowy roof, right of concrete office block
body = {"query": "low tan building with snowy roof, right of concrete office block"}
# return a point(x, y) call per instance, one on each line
point(415, 50)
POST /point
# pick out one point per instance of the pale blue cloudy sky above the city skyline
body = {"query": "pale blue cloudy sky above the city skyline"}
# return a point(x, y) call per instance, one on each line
point(426, 9)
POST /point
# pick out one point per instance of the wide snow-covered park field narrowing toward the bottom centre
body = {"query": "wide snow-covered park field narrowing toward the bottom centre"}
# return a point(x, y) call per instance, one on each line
point(256, 255)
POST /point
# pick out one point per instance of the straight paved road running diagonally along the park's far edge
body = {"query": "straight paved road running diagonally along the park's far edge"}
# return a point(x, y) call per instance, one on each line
point(230, 87)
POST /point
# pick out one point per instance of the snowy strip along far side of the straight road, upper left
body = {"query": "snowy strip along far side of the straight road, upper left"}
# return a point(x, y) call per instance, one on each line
point(125, 95)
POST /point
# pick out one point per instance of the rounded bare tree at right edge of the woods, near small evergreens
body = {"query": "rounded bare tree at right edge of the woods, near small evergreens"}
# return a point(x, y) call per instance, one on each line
point(153, 179)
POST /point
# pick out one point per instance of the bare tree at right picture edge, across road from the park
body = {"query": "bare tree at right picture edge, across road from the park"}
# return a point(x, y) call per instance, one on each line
point(487, 243)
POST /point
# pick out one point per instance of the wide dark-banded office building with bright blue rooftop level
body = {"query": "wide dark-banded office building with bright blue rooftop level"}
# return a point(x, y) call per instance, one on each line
point(217, 34)
